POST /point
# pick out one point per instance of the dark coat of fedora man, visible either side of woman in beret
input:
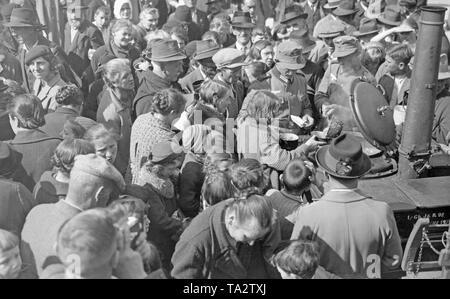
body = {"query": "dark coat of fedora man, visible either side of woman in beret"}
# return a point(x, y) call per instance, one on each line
point(65, 70)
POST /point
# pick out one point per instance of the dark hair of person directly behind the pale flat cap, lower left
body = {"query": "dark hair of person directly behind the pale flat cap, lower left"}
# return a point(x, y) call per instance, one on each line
point(65, 153)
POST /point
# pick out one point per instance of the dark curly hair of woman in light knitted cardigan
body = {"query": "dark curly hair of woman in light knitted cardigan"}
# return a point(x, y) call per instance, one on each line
point(167, 100)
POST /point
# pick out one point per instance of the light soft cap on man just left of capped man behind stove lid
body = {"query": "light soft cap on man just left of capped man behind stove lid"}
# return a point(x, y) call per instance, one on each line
point(290, 56)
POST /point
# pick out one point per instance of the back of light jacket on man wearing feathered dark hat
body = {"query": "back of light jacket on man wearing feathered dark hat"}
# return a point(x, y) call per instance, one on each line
point(358, 236)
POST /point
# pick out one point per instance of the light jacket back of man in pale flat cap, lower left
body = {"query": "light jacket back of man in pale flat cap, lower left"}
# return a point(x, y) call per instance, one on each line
point(39, 235)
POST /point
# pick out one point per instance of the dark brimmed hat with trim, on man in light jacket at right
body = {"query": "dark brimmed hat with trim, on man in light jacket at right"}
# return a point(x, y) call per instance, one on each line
point(344, 158)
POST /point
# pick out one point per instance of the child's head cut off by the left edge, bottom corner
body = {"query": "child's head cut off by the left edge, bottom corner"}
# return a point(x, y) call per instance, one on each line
point(10, 260)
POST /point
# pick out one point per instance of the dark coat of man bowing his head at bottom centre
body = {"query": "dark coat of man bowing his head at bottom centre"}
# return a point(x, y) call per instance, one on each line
point(206, 250)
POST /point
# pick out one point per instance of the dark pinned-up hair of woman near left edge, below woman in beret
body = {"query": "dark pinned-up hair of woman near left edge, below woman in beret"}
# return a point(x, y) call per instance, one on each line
point(28, 110)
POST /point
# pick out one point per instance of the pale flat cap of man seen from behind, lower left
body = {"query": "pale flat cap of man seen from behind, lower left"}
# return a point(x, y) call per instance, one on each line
point(98, 166)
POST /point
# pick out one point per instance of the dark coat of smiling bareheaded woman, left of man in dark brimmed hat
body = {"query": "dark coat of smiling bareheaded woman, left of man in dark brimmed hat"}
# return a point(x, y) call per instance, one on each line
point(108, 52)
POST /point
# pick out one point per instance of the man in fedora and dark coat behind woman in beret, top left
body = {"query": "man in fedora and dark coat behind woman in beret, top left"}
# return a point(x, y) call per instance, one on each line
point(26, 29)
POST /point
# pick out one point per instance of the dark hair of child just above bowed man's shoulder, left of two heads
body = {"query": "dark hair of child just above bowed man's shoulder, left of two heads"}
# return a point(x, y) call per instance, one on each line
point(217, 187)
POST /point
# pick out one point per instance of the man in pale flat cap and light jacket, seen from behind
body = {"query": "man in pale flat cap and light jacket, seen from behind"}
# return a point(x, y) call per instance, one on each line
point(92, 184)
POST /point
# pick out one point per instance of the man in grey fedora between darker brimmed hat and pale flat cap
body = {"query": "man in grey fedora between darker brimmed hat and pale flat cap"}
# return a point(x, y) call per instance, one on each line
point(206, 69)
